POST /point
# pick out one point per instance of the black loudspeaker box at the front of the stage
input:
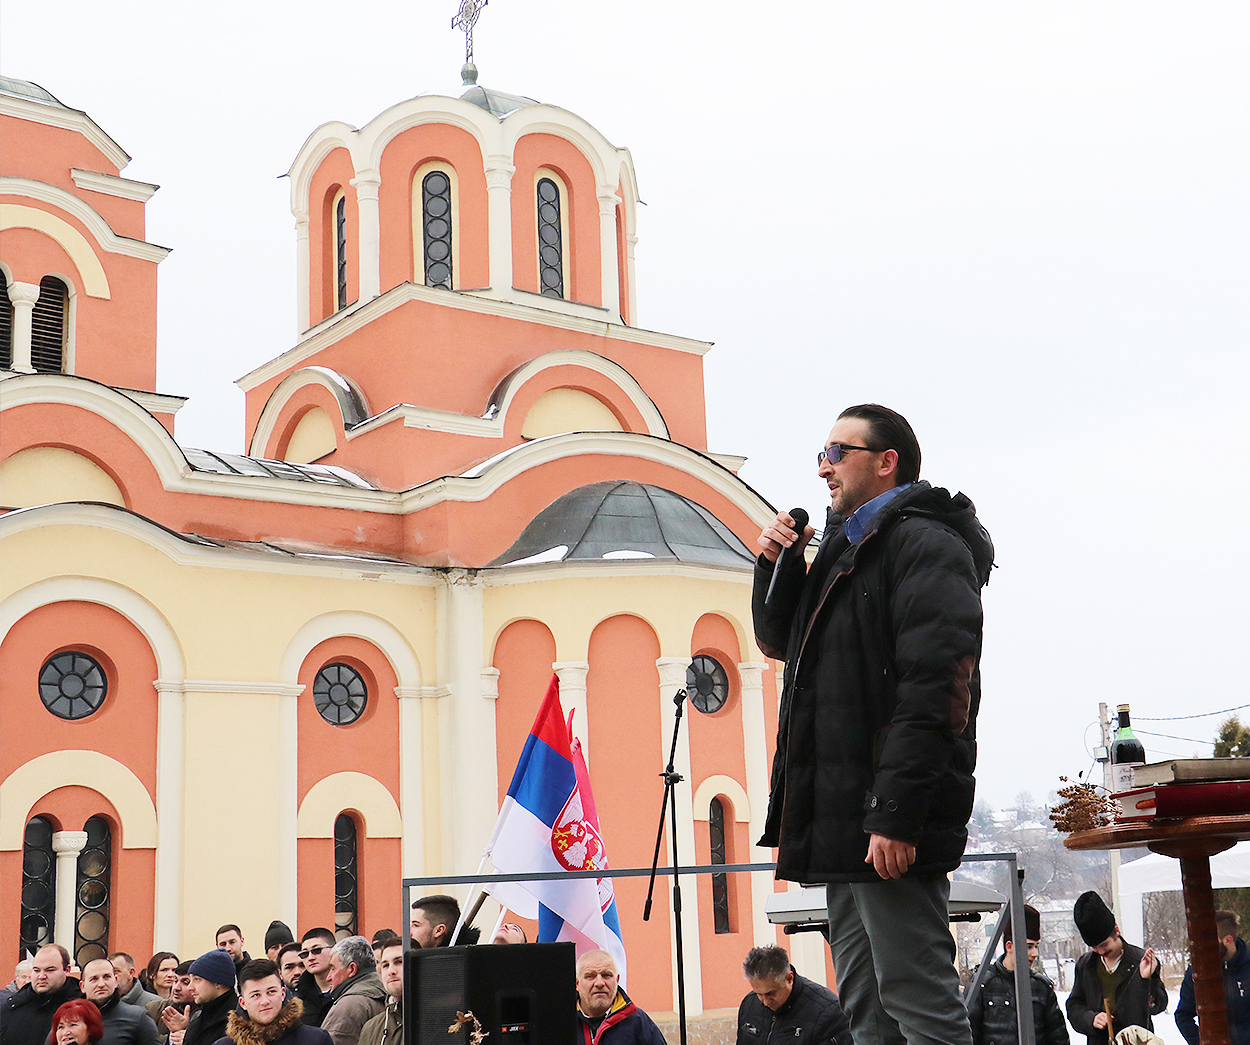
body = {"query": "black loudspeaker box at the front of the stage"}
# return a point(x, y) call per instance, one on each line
point(523, 994)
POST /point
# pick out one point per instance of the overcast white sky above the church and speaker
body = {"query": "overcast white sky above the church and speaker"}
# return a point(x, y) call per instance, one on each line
point(1024, 226)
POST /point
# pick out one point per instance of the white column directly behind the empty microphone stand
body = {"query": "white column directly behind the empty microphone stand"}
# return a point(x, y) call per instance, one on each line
point(673, 678)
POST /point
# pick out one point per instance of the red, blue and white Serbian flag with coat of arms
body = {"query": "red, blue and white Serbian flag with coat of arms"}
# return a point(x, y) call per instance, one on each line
point(548, 823)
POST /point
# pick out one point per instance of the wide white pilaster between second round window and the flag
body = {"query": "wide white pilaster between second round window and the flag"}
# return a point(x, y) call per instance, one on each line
point(472, 776)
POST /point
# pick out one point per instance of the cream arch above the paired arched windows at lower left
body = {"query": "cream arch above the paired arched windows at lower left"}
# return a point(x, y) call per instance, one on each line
point(32, 781)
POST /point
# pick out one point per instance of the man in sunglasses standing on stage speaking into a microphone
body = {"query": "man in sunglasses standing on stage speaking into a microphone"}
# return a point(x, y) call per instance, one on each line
point(877, 736)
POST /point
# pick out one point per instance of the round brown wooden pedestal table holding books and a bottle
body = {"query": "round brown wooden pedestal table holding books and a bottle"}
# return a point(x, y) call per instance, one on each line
point(1194, 842)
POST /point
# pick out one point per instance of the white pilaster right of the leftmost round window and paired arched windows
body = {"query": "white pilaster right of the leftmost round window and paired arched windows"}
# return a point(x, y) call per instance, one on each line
point(171, 808)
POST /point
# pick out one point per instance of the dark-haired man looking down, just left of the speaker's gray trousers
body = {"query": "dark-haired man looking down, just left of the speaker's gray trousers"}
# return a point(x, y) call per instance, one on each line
point(786, 1007)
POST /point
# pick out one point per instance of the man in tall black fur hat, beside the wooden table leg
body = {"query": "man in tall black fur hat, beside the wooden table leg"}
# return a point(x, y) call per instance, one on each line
point(1116, 984)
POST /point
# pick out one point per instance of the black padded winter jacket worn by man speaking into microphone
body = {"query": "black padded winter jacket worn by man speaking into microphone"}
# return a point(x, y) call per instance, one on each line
point(878, 722)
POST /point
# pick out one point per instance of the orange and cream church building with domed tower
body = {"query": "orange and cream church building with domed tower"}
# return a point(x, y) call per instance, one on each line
point(243, 687)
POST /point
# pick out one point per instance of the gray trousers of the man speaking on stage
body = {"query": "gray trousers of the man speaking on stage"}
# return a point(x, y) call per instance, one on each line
point(896, 962)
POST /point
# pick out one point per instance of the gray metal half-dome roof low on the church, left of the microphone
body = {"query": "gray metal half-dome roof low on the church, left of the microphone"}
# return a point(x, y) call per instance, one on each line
point(622, 522)
